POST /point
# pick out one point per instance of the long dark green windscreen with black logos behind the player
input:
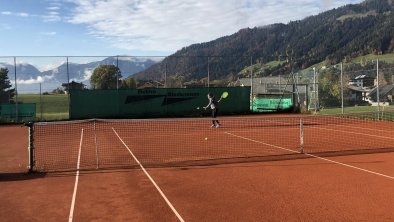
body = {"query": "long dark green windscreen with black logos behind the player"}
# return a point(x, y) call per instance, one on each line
point(146, 103)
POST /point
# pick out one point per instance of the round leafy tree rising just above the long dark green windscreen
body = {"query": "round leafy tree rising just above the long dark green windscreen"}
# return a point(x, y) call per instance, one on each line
point(105, 77)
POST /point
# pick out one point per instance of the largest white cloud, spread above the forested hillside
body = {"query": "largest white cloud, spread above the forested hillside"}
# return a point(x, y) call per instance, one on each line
point(170, 25)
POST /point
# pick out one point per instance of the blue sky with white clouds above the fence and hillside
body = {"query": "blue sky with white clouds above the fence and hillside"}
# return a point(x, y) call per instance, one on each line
point(137, 27)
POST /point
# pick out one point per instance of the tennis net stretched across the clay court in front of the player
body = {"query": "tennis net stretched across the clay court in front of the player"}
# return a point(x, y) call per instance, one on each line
point(101, 144)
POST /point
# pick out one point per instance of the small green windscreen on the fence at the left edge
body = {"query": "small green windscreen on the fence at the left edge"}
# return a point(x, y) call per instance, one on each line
point(26, 112)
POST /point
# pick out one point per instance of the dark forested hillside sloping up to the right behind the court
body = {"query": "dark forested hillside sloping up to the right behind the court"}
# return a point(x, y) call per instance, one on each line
point(330, 37)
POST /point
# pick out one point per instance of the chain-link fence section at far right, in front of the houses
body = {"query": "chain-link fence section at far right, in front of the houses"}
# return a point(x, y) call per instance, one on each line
point(365, 85)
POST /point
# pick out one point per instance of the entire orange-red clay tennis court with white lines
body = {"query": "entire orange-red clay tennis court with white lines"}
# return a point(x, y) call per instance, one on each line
point(270, 168)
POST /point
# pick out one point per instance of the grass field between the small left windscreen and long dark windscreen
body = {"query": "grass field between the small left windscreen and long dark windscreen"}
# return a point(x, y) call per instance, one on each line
point(48, 107)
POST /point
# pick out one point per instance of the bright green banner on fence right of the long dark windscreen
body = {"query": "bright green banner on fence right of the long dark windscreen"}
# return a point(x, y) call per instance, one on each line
point(270, 104)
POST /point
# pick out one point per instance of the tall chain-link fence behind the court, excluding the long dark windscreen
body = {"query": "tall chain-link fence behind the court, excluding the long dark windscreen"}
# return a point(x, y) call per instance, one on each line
point(364, 84)
